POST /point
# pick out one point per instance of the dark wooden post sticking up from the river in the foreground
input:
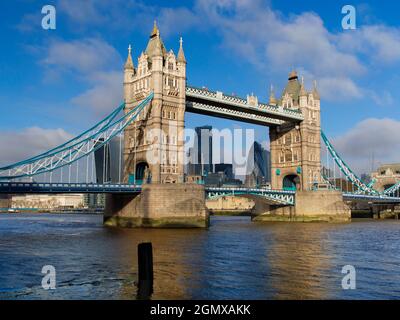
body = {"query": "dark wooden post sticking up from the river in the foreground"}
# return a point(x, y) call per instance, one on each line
point(145, 266)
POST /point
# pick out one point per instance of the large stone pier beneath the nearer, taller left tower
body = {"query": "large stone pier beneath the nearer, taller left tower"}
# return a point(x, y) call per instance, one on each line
point(160, 206)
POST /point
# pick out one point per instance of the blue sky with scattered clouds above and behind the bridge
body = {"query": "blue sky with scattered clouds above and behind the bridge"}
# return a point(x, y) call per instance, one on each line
point(56, 83)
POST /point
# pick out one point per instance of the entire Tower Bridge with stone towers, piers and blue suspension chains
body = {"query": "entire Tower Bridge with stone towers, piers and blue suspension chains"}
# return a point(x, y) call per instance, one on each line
point(150, 187)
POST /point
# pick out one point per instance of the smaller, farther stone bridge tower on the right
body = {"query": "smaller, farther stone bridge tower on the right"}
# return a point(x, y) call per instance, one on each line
point(296, 148)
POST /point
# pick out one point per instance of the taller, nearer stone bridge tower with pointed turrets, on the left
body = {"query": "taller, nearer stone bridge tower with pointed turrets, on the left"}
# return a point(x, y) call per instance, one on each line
point(154, 142)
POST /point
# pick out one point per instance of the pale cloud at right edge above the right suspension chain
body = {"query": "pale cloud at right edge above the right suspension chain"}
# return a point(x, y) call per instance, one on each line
point(370, 137)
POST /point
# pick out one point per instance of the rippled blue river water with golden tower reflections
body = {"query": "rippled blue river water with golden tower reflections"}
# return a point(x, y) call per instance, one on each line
point(234, 259)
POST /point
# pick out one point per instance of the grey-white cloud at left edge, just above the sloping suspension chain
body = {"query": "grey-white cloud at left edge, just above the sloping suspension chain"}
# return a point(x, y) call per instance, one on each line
point(19, 145)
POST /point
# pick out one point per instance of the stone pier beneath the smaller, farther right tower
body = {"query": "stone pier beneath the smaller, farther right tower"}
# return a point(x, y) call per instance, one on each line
point(310, 206)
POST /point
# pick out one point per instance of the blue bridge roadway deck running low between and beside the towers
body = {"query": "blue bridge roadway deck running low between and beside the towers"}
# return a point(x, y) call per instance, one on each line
point(282, 197)
